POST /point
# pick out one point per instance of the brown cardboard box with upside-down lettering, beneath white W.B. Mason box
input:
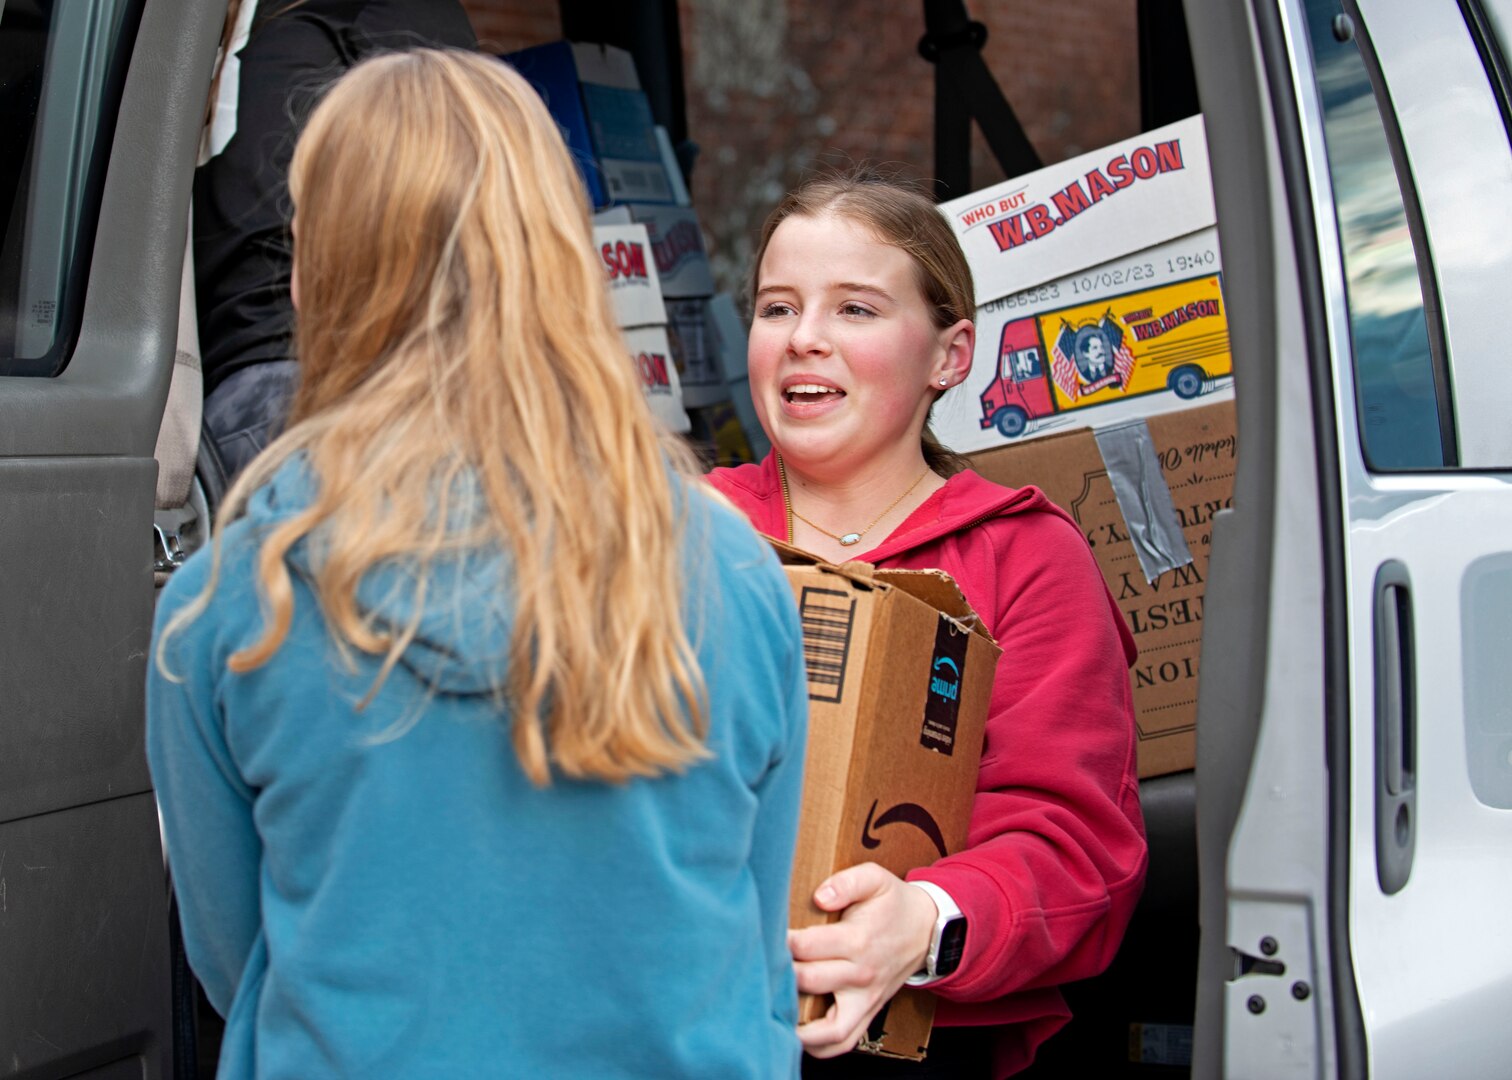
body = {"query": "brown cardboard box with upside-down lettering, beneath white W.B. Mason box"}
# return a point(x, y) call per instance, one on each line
point(1197, 453)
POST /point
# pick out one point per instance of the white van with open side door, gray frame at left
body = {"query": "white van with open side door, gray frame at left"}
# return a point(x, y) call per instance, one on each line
point(1330, 887)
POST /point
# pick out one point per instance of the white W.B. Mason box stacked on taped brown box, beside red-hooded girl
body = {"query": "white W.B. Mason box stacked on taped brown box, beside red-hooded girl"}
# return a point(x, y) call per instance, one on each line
point(1103, 376)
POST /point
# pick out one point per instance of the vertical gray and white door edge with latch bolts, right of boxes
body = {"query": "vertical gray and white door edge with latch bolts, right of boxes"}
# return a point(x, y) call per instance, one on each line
point(1274, 737)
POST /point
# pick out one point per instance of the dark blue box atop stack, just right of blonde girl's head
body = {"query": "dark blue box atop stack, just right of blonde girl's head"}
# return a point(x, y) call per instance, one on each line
point(604, 116)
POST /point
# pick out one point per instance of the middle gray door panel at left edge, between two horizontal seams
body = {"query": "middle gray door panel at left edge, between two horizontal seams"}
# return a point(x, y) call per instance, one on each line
point(76, 566)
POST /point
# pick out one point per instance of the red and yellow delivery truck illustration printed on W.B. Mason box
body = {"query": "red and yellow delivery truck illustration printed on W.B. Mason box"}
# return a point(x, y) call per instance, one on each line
point(1173, 338)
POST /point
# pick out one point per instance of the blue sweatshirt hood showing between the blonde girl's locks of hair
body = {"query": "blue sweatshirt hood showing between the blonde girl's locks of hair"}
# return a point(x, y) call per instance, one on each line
point(463, 598)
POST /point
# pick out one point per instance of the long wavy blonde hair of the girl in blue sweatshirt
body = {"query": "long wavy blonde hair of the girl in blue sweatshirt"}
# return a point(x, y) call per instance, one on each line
point(454, 332)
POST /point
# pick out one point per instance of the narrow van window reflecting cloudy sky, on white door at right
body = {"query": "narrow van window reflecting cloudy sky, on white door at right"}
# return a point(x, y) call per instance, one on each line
point(1393, 361)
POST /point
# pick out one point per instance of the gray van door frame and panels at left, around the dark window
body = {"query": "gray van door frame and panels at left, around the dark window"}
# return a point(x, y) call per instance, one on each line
point(87, 943)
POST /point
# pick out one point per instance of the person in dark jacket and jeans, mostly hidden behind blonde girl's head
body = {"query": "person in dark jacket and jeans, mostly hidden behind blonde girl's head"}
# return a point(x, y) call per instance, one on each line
point(277, 58)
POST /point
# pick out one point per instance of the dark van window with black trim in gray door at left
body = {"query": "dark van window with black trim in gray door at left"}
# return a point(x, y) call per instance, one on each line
point(63, 64)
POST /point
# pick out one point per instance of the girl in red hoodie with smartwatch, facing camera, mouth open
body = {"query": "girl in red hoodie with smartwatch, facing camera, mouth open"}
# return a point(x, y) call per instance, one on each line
point(863, 320)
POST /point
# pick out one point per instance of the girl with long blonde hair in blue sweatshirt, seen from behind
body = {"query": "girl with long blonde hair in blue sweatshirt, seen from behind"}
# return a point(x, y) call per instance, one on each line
point(479, 733)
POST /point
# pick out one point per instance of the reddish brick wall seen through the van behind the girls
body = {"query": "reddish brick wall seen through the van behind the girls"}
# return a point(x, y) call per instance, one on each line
point(781, 88)
